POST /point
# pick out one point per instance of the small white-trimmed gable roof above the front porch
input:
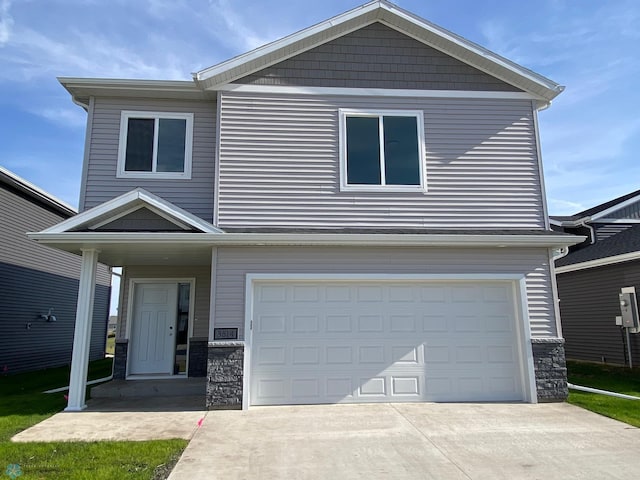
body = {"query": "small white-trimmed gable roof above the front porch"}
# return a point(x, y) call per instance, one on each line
point(123, 205)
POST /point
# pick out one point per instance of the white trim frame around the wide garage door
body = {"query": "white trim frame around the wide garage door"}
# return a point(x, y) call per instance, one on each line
point(520, 300)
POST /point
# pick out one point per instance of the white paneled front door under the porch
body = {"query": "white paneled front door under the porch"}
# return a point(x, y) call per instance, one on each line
point(153, 329)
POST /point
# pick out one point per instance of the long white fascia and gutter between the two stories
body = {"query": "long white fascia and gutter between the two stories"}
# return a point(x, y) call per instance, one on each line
point(303, 239)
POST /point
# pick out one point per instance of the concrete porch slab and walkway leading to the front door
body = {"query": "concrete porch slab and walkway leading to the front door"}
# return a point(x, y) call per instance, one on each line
point(133, 418)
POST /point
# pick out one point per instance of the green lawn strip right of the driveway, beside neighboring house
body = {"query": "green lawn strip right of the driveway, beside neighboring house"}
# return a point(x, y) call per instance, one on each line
point(614, 379)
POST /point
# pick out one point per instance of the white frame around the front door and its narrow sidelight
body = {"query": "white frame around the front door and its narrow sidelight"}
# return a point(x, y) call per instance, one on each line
point(133, 282)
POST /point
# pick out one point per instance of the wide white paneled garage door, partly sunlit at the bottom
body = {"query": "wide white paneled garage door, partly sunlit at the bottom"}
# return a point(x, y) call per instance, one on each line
point(357, 341)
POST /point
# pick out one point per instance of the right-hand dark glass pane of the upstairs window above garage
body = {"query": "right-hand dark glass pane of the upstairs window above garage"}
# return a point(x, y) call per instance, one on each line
point(402, 163)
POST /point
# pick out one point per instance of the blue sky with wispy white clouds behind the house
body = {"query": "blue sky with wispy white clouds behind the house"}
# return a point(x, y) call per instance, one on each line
point(590, 135)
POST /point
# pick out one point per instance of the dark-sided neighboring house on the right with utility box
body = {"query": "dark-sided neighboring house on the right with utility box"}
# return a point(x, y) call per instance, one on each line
point(592, 275)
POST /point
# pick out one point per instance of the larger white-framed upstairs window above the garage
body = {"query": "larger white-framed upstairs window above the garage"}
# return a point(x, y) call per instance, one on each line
point(382, 150)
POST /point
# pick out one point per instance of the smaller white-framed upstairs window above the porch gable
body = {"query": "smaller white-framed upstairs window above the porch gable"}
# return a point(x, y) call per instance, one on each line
point(155, 145)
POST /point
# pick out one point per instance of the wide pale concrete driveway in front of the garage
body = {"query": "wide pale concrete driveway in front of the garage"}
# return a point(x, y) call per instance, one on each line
point(411, 441)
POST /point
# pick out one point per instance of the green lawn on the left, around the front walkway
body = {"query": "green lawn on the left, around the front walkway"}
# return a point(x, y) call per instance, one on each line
point(22, 404)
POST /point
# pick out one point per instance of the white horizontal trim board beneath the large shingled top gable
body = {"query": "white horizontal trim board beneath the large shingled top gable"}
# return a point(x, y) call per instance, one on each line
point(376, 92)
